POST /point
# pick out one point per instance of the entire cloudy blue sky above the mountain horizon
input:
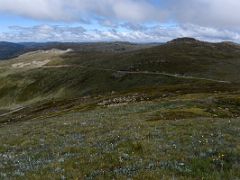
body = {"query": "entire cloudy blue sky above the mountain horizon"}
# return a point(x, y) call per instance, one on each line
point(119, 20)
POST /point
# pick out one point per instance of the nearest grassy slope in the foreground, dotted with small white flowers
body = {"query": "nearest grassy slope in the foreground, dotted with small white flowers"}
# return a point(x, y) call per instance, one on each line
point(190, 136)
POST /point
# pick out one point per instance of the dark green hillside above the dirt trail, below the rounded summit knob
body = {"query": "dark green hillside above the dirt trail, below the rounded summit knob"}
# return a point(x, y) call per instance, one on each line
point(220, 61)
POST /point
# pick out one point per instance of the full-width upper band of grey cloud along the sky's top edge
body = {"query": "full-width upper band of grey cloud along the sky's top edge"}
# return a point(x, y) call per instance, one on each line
point(213, 13)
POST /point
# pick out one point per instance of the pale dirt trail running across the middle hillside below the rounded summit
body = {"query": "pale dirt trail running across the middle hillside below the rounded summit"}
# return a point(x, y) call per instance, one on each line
point(144, 72)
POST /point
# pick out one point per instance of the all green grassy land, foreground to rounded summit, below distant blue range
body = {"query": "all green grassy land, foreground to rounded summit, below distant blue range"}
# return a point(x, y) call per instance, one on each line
point(161, 112)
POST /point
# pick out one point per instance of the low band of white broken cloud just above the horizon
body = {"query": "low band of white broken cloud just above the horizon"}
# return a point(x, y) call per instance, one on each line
point(141, 34)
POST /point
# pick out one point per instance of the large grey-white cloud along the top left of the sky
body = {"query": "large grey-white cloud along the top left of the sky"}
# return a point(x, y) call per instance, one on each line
point(73, 10)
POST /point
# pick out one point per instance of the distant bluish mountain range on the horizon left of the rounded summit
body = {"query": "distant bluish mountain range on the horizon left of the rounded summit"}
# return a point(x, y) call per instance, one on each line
point(9, 50)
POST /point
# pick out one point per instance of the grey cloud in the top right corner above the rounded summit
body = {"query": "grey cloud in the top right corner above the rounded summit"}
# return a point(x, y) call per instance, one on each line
point(214, 13)
